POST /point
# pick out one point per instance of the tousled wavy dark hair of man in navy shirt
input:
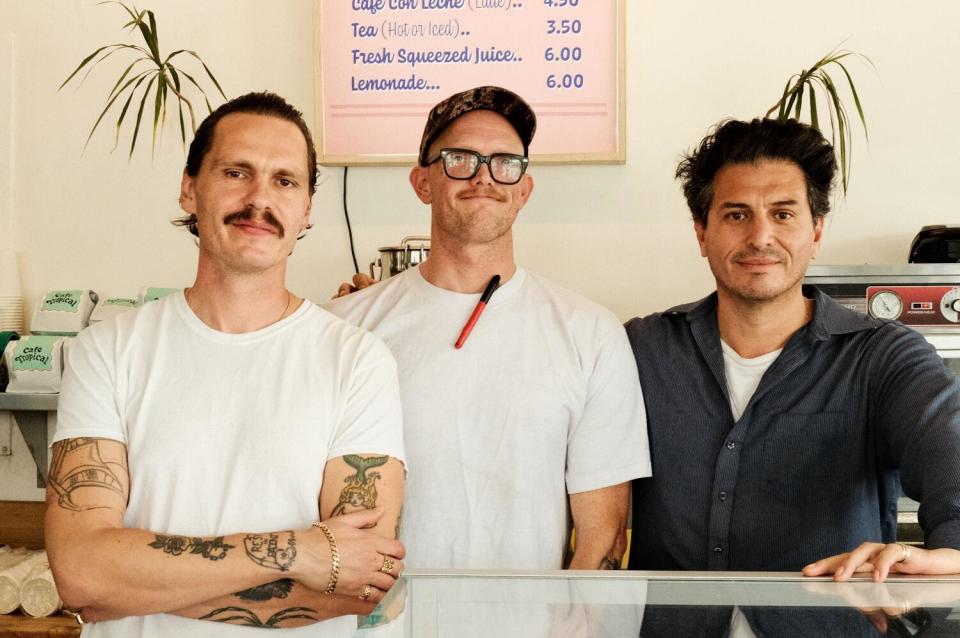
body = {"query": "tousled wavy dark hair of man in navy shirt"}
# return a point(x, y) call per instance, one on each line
point(738, 142)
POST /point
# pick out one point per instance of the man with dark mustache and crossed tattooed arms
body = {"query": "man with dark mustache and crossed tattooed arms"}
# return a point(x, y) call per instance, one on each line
point(202, 438)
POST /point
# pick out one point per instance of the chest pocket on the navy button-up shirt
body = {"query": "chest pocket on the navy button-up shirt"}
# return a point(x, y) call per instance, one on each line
point(808, 459)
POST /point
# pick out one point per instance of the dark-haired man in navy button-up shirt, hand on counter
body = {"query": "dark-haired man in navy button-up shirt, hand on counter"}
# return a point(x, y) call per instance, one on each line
point(779, 420)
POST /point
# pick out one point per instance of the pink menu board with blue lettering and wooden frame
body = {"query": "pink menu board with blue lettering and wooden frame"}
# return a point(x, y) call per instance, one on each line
point(382, 64)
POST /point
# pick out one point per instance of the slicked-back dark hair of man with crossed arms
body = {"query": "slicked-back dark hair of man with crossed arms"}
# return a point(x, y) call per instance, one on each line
point(262, 103)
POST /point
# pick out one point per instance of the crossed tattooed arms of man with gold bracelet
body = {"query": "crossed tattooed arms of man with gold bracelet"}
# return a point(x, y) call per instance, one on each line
point(267, 579)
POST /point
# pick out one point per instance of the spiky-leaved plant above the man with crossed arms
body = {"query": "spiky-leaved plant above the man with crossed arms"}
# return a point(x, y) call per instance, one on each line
point(150, 76)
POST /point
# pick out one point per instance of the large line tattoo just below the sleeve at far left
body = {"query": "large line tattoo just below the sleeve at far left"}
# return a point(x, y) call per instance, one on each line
point(86, 469)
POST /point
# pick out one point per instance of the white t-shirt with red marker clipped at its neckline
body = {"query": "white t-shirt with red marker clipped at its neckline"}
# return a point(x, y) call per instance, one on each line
point(543, 399)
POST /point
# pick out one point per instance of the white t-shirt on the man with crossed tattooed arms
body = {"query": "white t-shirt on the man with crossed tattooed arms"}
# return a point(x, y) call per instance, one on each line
point(228, 433)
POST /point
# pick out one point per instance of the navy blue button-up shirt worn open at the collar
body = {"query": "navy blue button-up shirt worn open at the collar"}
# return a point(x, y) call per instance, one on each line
point(811, 468)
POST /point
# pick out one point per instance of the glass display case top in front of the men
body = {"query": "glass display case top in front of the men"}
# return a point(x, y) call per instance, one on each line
point(612, 604)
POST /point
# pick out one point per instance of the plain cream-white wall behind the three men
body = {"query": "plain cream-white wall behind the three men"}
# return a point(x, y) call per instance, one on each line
point(619, 234)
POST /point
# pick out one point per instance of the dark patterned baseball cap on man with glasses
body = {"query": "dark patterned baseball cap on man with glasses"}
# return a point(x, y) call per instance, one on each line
point(482, 98)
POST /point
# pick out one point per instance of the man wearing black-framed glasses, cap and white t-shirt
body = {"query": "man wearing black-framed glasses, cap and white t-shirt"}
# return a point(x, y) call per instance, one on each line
point(540, 412)
